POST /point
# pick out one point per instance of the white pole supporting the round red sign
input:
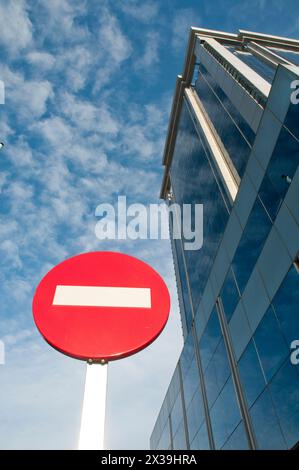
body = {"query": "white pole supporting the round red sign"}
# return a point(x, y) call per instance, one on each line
point(94, 407)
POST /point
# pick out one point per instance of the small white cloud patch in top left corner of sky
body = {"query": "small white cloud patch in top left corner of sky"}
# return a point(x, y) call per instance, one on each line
point(15, 26)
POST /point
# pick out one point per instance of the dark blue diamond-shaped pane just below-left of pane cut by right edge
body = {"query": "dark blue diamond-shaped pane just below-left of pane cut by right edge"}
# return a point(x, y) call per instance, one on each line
point(270, 344)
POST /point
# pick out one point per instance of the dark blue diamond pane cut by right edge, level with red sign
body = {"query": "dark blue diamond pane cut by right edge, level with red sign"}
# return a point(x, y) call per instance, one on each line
point(286, 303)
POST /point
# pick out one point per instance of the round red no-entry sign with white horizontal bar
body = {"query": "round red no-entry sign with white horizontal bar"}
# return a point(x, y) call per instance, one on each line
point(101, 306)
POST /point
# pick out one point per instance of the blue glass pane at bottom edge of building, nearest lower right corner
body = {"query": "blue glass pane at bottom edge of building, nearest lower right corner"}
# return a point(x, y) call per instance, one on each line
point(266, 427)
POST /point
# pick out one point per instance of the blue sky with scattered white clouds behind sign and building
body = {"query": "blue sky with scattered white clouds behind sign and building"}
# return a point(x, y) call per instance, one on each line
point(88, 92)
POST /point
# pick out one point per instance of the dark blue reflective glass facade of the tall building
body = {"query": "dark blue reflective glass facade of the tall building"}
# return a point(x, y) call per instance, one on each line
point(236, 385)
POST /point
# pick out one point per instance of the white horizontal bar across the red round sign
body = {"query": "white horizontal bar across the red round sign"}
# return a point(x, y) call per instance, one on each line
point(100, 296)
